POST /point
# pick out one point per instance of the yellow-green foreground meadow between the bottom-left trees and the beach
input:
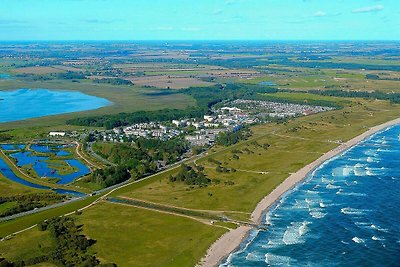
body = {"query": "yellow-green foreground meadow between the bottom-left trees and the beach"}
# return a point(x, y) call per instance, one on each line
point(130, 236)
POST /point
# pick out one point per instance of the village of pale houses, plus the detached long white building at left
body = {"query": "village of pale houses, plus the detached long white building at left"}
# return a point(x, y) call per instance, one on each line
point(229, 117)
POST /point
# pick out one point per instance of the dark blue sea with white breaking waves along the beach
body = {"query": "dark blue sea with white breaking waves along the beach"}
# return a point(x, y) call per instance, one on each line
point(346, 213)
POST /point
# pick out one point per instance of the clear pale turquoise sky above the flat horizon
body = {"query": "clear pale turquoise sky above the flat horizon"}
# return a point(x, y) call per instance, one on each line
point(199, 20)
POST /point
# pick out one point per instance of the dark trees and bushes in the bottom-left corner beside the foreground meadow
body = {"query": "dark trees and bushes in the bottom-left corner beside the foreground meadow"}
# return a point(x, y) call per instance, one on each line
point(71, 247)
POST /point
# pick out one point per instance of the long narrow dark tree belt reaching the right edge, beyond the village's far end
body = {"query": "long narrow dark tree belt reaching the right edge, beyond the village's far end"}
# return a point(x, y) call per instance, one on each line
point(392, 97)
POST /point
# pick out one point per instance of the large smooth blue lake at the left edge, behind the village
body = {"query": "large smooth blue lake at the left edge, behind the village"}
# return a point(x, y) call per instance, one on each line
point(44, 102)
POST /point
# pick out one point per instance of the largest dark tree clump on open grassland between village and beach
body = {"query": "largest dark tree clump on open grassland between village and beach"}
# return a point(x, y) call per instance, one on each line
point(190, 175)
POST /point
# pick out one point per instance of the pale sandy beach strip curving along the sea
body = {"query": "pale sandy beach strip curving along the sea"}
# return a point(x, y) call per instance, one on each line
point(231, 240)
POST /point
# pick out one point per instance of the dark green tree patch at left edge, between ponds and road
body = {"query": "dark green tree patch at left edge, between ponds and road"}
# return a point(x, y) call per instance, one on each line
point(29, 202)
